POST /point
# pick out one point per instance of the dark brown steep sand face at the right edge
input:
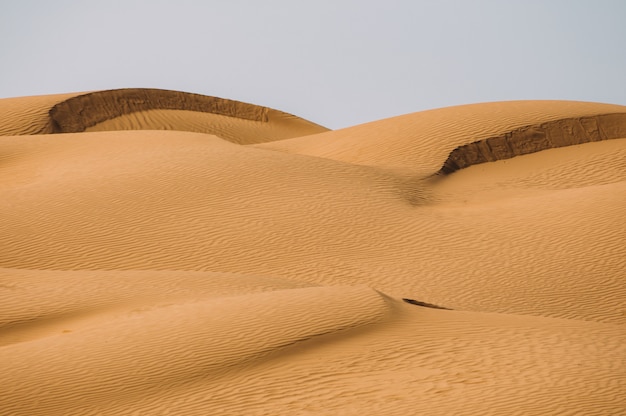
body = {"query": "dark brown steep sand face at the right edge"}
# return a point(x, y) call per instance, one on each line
point(535, 138)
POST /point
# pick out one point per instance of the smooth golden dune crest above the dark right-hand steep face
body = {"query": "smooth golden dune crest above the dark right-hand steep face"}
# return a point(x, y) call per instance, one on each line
point(421, 142)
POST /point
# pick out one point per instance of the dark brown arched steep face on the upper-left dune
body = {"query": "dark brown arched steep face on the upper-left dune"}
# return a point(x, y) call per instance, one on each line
point(76, 114)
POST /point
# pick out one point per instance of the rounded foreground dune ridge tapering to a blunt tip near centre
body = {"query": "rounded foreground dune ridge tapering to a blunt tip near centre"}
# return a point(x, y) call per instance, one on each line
point(188, 341)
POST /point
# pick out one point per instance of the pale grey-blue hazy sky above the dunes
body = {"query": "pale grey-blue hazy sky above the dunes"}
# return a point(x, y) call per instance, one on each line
point(335, 62)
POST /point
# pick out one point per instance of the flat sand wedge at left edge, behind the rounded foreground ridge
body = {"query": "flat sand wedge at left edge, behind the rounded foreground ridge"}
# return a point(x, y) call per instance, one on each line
point(41, 303)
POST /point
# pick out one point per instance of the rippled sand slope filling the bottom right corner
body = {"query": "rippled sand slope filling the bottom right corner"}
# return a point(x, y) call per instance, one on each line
point(464, 363)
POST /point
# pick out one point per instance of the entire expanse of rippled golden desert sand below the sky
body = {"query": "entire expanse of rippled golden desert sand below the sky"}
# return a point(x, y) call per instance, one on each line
point(170, 253)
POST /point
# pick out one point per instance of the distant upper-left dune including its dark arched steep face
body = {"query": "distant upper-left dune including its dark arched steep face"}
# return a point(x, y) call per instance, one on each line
point(150, 109)
